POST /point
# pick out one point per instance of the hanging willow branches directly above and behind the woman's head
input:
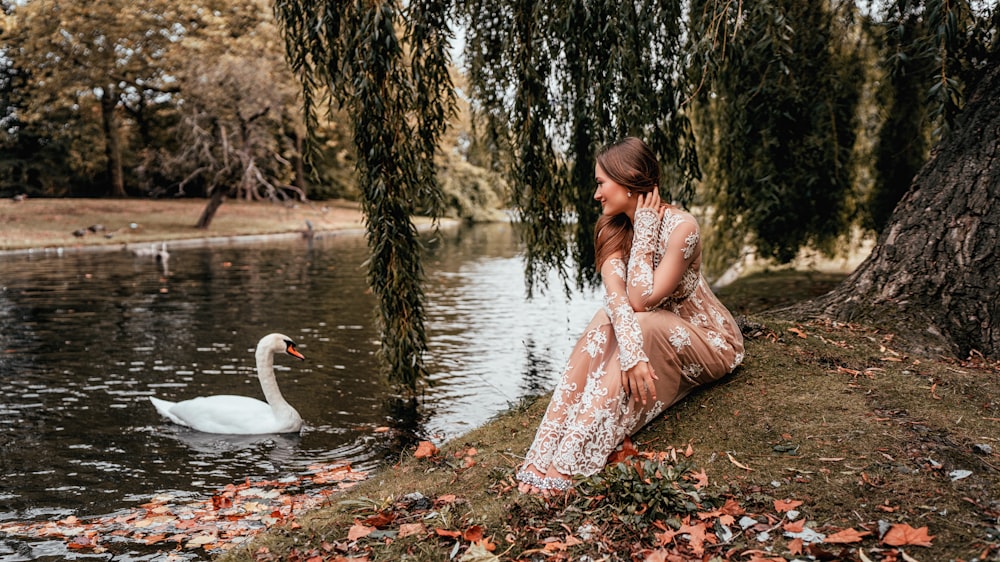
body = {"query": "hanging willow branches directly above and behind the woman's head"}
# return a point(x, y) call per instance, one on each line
point(576, 74)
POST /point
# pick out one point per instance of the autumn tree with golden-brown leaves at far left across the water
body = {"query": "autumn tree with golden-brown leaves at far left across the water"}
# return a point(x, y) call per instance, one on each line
point(89, 62)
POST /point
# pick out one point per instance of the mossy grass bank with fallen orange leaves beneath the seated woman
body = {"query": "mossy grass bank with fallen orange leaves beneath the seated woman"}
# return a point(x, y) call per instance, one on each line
point(827, 444)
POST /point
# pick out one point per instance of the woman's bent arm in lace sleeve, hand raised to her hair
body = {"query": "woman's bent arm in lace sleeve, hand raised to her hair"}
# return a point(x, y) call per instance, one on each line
point(648, 287)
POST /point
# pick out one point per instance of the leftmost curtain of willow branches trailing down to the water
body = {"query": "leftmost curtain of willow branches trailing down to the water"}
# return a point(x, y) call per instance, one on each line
point(386, 65)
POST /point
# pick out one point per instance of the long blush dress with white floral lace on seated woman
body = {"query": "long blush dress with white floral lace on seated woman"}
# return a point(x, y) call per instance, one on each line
point(689, 338)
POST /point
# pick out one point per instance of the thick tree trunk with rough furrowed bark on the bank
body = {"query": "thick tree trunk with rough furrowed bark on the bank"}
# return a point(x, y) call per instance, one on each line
point(933, 276)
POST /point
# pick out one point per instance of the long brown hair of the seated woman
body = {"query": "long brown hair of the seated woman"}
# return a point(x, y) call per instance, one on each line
point(631, 164)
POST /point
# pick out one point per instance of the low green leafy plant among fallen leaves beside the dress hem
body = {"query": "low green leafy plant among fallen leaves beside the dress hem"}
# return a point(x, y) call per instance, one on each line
point(641, 491)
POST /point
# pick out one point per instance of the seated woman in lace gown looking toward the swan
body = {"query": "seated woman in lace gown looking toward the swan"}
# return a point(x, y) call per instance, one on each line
point(661, 332)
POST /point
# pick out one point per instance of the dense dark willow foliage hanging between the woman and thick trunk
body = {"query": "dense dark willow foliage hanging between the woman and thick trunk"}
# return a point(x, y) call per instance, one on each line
point(779, 128)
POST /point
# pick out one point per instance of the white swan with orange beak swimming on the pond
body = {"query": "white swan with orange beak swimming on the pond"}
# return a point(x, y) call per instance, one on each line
point(241, 415)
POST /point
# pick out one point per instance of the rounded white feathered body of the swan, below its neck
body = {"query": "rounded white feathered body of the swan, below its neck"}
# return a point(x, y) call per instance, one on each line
point(225, 414)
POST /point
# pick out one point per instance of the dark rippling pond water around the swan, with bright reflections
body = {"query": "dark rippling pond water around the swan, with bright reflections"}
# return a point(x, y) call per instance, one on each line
point(85, 338)
